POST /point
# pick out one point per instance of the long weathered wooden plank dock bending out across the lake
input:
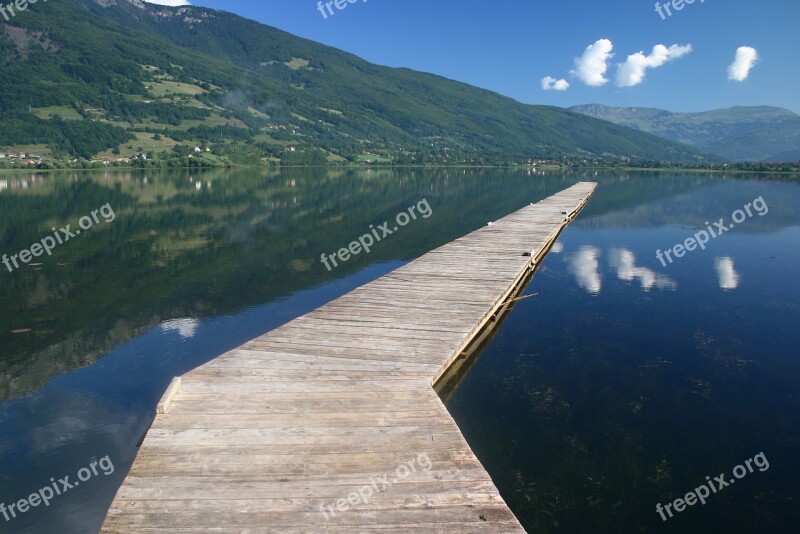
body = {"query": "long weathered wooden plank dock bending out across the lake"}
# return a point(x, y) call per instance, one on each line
point(330, 423)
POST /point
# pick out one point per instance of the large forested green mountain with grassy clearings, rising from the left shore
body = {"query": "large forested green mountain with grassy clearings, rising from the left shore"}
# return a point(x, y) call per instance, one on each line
point(120, 78)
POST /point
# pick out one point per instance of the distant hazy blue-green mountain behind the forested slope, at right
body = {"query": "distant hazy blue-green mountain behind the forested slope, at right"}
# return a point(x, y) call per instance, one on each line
point(739, 134)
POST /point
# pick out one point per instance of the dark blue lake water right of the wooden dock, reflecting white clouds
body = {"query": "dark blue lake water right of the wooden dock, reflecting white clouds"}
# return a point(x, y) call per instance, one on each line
point(589, 407)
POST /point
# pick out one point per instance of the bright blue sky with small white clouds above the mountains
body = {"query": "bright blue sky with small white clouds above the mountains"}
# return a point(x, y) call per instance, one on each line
point(509, 46)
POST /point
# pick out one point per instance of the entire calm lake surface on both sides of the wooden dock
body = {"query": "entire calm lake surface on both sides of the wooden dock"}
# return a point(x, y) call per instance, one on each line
point(621, 386)
